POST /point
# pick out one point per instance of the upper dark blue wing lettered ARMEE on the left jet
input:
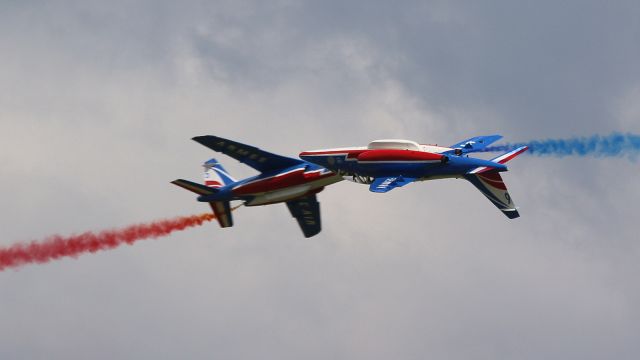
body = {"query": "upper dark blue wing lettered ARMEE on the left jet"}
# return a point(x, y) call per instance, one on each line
point(260, 160)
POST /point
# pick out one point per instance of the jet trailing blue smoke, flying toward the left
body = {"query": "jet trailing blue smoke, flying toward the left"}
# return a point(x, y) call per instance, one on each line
point(388, 164)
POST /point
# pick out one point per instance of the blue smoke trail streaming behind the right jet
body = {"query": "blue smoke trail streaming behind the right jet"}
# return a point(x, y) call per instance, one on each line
point(615, 144)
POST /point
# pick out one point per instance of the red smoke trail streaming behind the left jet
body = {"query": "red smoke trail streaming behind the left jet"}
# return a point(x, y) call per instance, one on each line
point(57, 246)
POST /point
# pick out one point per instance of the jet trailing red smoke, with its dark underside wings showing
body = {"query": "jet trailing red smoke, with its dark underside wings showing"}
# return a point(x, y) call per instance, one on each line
point(282, 179)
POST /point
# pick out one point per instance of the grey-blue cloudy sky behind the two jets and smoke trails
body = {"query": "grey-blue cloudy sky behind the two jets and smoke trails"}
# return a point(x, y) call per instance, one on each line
point(98, 101)
